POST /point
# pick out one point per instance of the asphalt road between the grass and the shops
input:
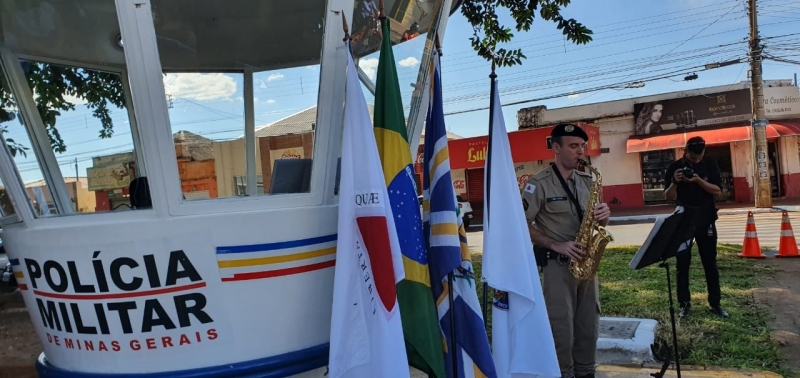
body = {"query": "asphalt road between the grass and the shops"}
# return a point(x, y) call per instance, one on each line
point(729, 227)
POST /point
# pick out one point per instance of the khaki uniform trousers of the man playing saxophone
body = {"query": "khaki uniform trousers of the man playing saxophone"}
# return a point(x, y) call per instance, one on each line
point(573, 308)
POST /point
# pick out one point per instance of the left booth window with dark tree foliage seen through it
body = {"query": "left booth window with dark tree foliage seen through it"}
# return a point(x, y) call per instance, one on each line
point(82, 131)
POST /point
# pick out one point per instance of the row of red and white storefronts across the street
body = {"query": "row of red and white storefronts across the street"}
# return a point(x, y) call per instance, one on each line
point(633, 141)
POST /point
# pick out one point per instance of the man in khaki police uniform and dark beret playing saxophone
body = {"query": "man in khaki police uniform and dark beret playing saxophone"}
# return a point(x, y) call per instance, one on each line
point(554, 201)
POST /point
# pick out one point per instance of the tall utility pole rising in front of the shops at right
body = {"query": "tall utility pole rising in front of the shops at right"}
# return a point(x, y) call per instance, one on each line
point(761, 179)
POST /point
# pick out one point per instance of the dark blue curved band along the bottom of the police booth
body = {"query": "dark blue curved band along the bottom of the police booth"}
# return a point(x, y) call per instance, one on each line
point(284, 365)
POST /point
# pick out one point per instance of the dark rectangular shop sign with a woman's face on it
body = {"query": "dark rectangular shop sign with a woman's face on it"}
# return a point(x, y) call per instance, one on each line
point(692, 112)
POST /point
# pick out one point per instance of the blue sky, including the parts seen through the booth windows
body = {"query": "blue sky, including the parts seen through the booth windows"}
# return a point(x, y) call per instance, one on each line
point(633, 40)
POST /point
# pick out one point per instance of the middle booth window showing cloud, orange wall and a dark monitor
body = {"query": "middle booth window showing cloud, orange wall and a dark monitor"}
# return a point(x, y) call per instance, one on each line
point(204, 49)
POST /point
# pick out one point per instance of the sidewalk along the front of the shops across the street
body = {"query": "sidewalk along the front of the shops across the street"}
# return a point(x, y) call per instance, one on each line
point(648, 214)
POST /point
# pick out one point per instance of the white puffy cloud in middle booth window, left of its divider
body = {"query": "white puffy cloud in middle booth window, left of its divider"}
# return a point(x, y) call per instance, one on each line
point(197, 86)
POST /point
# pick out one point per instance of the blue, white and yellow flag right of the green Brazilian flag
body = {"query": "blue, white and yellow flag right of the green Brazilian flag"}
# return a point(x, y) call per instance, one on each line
point(448, 252)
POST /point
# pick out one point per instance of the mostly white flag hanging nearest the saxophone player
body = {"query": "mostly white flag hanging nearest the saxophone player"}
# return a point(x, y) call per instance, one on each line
point(522, 341)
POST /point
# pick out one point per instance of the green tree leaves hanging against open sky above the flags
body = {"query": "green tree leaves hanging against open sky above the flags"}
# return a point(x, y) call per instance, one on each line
point(488, 32)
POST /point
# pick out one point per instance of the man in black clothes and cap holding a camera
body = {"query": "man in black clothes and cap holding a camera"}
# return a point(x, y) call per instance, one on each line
point(694, 181)
